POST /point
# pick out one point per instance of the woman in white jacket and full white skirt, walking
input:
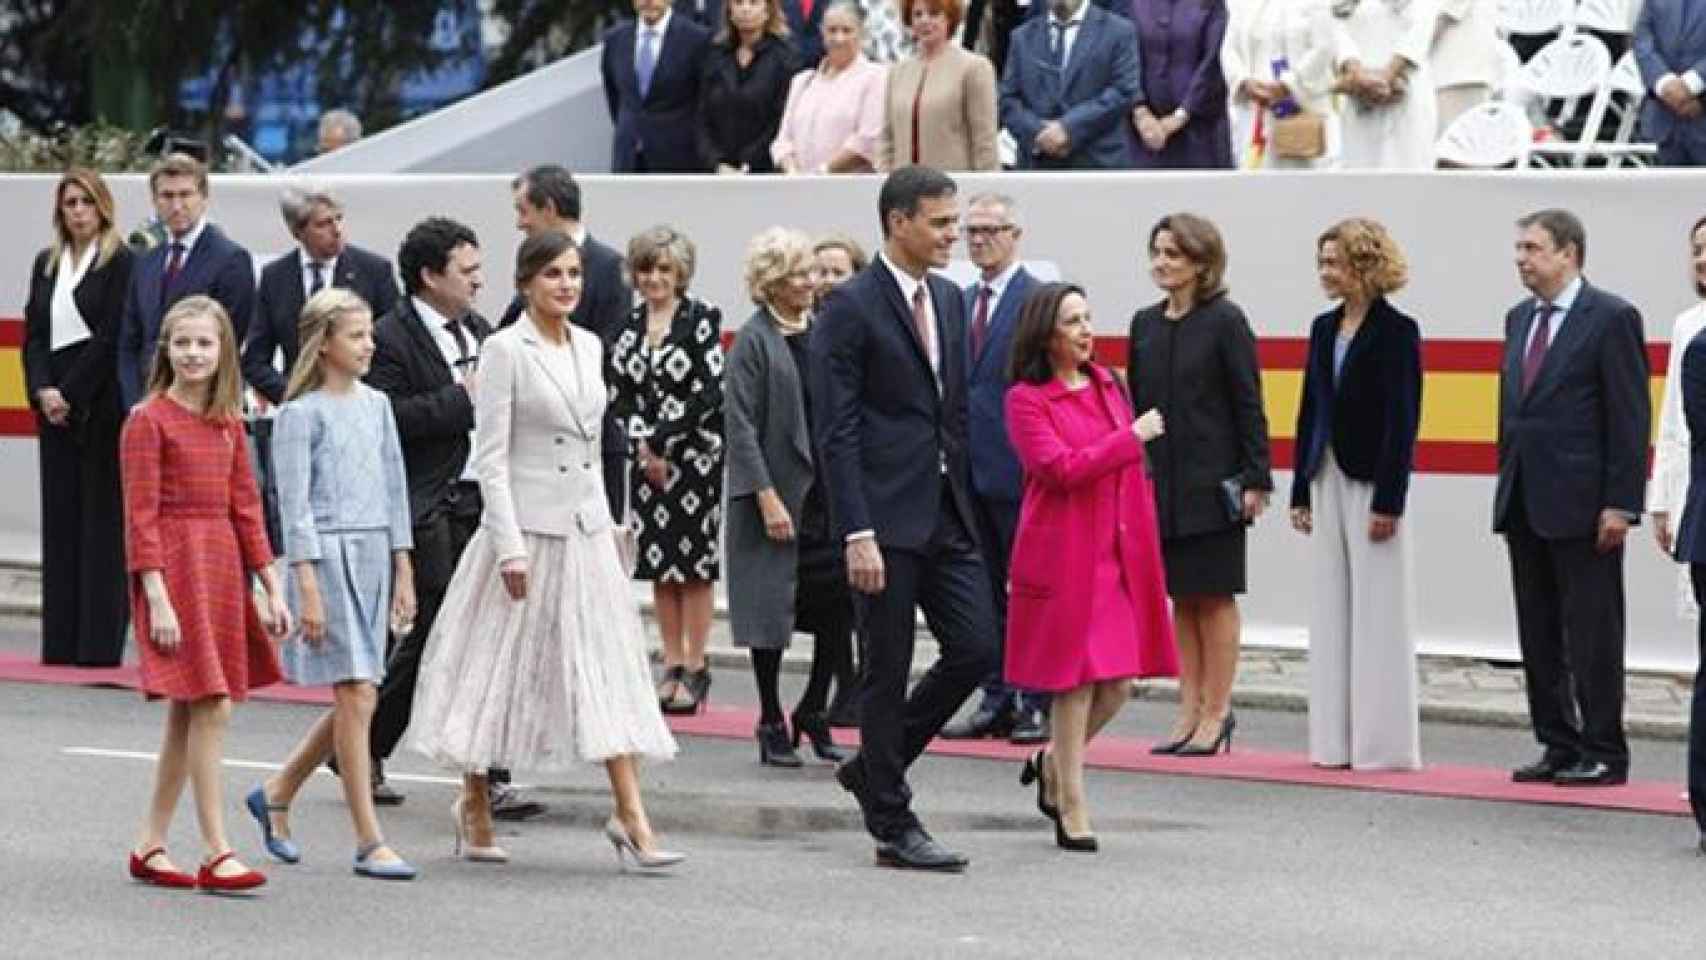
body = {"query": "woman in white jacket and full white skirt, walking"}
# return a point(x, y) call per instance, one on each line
point(538, 657)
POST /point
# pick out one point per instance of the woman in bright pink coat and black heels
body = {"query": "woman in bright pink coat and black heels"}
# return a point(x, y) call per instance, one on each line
point(1088, 606)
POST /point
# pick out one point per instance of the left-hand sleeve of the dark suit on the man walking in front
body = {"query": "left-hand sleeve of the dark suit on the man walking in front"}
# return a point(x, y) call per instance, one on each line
point(838, 356)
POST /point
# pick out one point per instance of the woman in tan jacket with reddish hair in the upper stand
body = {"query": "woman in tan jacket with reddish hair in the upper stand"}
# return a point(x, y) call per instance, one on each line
point(939, 108)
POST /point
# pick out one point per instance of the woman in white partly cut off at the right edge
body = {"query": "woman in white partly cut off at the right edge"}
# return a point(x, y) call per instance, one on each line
point(1669, 489)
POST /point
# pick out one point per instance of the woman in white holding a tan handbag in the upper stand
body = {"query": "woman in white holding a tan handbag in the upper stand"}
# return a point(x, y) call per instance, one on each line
point(1297, 37)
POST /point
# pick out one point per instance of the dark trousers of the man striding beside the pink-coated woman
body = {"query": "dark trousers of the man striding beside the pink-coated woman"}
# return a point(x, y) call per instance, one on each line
point(946, 579)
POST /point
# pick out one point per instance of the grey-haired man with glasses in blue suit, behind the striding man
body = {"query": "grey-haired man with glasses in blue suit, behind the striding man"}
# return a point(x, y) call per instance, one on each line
point(997, 480)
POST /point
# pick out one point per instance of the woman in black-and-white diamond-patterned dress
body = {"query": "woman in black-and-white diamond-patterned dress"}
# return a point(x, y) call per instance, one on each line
point(668, 391)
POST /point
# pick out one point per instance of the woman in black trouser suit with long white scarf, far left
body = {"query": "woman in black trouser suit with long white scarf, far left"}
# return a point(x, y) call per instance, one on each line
point(71, 321)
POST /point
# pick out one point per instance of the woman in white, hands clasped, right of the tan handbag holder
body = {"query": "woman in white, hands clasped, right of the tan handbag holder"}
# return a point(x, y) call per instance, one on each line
point(1381, 61)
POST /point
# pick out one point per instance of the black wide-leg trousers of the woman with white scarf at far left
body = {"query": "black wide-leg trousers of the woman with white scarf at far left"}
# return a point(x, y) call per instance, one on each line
point(84, 601)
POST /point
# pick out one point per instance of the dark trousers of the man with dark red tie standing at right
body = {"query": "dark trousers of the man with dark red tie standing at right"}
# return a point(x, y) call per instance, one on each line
point(1570, 625)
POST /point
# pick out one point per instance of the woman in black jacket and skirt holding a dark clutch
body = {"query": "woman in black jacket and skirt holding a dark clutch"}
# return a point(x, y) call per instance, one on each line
point(1193, 357)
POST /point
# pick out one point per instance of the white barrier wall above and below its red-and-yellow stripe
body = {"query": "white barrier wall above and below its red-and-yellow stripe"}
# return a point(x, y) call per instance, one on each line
point(1454, 228)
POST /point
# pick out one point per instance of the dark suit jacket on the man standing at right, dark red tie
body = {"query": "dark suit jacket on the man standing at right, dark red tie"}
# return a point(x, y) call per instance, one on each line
point(1577, 442)
